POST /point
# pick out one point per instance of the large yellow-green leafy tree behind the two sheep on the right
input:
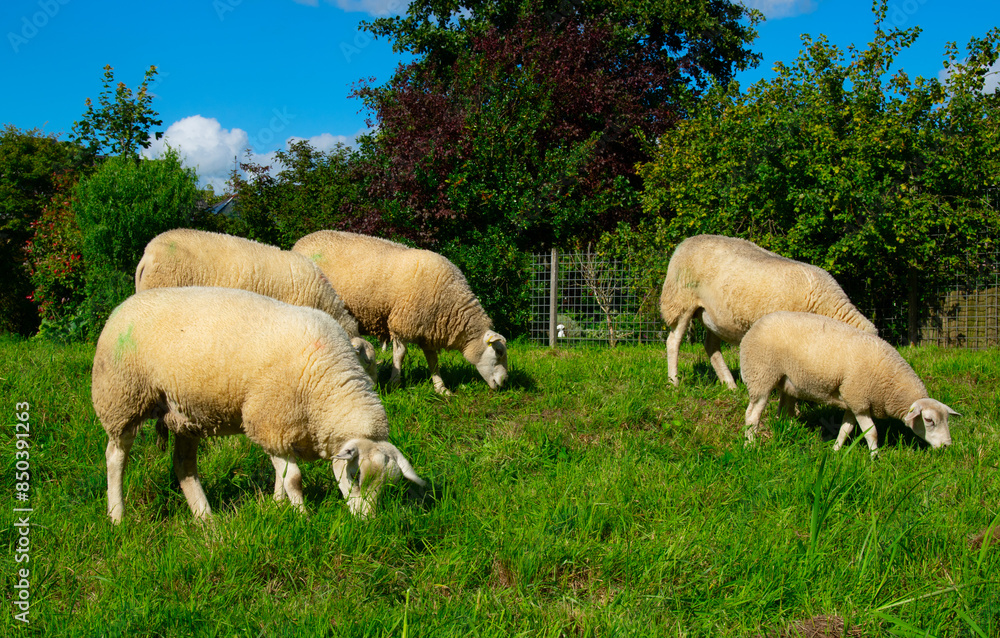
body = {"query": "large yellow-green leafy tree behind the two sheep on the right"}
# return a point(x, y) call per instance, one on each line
point(877, 178)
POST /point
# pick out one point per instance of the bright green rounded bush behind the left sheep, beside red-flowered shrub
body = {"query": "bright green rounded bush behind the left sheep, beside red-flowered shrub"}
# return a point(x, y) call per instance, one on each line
point(120, 208)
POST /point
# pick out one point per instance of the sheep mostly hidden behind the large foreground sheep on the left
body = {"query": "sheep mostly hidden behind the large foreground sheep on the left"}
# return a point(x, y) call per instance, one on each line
point(186, 257)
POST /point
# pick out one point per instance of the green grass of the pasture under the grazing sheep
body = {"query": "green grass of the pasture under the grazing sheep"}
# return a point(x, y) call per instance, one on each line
point(588, 498)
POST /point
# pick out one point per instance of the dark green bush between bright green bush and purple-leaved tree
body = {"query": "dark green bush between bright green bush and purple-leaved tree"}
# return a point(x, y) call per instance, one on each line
point(312, 191)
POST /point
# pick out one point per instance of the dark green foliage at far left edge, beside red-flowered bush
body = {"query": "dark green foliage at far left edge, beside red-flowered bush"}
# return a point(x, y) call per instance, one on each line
point(30, 165)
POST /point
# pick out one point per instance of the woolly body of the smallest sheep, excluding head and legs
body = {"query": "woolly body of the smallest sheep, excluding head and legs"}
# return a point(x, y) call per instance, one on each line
point(828, 361)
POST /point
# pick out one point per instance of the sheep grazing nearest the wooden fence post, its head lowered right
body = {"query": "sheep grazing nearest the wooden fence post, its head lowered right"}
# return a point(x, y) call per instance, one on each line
point(408, 295)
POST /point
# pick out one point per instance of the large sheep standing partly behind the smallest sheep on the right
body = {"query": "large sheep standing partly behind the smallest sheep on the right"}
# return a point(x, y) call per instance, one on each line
point(730, 283)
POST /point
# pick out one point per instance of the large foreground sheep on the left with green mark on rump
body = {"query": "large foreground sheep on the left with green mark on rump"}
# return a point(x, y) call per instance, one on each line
point(217, 362)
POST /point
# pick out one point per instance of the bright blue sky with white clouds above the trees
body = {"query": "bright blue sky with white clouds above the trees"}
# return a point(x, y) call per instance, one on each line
point(253, 73)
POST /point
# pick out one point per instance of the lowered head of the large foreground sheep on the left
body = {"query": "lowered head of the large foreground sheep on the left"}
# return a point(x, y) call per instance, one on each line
point(363, 466)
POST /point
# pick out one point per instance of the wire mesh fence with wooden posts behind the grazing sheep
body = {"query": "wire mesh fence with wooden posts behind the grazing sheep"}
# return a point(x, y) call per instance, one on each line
point(599, 300)
